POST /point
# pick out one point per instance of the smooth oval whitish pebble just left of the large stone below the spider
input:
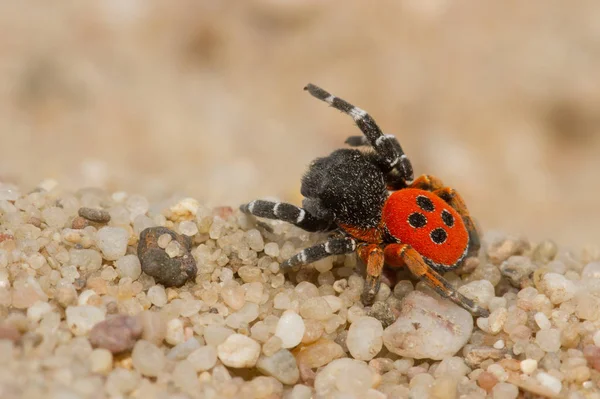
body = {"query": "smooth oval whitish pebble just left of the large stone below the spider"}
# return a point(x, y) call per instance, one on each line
point(365, 338)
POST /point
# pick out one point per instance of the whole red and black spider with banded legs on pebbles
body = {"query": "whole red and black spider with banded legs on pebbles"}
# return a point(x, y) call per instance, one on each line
point(367, 197)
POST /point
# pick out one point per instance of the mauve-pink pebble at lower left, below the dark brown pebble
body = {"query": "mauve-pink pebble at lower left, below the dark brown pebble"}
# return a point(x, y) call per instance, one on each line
point(117, 334)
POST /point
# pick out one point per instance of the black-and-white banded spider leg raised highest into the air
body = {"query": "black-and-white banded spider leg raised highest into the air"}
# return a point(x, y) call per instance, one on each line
point(391, 155)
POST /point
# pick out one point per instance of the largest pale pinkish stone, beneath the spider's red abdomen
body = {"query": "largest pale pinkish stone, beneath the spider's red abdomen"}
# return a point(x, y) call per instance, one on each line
point(428, 328)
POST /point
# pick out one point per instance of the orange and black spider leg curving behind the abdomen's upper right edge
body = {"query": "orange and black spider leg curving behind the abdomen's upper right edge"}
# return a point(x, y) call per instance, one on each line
point(455, 200)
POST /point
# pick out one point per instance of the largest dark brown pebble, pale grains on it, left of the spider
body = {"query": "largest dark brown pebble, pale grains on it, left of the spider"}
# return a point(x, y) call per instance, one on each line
point(170, 272)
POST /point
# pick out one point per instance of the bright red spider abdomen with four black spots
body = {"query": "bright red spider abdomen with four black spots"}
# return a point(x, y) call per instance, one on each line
point(427, 223)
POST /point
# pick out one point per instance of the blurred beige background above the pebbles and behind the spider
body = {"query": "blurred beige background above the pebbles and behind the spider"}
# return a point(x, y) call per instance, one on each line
point(500, 99)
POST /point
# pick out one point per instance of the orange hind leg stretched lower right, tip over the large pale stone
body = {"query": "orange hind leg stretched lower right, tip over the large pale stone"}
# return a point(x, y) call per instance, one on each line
point(403, 254)
